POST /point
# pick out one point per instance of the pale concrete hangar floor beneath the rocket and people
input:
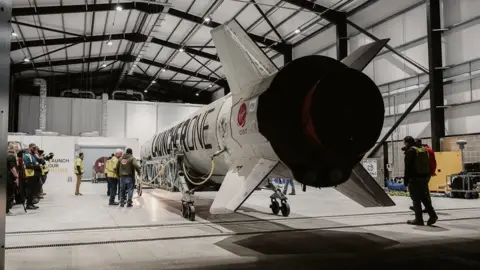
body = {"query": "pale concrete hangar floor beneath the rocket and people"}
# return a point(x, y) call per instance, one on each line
point(325, 229)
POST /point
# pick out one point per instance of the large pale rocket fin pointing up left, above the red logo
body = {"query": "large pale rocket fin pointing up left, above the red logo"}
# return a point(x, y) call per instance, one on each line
point(243, 62)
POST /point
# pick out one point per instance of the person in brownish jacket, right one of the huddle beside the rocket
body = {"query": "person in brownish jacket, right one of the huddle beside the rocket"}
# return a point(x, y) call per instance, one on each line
point(126, 167)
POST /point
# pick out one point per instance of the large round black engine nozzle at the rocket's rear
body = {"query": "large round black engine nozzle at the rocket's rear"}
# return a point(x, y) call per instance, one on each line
point(321, 117)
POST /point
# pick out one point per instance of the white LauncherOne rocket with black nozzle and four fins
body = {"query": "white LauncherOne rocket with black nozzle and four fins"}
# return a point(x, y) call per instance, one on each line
point(312, 120)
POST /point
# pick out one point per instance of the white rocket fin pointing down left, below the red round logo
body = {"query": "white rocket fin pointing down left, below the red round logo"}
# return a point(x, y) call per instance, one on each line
point(243, 177)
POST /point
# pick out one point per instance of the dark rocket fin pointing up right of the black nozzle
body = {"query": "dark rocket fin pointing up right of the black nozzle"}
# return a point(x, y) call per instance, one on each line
point(361, 57)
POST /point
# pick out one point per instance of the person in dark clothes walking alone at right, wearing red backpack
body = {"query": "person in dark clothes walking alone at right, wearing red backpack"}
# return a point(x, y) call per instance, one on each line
point(417, 175)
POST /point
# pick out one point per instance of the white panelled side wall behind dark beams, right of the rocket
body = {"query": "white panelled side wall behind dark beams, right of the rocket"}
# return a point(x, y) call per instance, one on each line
point(404, 22)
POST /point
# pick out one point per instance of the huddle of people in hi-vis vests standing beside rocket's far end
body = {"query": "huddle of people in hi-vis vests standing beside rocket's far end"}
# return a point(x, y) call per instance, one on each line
point(120, 169)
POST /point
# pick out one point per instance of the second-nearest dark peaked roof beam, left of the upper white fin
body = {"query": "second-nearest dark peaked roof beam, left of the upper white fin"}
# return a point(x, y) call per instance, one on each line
point(133, 37)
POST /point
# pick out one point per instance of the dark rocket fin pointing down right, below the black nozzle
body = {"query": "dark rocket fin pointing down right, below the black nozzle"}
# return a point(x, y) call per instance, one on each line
point(363, 189)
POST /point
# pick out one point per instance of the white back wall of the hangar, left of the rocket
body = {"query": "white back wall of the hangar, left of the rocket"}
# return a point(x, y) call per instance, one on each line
point(125, 119)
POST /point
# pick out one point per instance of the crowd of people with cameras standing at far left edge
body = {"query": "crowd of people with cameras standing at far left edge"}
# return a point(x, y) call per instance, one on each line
point(27, 172)
